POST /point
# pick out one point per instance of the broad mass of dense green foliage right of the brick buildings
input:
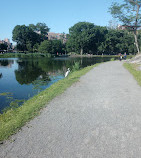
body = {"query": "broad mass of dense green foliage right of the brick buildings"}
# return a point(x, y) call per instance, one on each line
point(100, 40)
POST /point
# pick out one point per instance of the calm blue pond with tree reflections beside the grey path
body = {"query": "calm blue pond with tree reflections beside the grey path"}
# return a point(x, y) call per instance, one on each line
point(21, 78)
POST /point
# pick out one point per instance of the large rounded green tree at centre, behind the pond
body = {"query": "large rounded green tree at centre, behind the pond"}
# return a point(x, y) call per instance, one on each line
point(86, 37)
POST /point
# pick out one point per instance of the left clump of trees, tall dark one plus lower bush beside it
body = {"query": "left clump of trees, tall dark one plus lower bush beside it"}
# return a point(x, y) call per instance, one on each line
point(33, 38)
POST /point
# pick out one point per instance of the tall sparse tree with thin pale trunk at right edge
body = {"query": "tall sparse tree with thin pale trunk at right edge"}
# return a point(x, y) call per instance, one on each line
point(128, 14)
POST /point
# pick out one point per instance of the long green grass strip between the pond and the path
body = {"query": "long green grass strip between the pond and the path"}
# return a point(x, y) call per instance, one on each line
point(12, 120)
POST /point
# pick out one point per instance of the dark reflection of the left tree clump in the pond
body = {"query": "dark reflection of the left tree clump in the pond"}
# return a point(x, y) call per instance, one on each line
point(38, 72)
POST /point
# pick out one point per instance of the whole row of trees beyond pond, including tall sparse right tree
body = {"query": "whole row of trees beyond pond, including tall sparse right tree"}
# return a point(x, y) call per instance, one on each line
point(85, 37)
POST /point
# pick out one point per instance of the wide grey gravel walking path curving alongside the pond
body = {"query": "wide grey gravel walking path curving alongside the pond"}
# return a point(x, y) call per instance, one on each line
point(98, 117)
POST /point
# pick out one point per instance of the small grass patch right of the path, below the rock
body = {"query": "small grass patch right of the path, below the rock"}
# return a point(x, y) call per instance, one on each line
point(133, 69)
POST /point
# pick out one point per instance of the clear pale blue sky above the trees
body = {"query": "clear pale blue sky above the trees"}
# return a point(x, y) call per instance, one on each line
point(58, 15)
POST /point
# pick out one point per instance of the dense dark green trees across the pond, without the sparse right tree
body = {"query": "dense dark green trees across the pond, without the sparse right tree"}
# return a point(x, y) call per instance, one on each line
point(83, 38)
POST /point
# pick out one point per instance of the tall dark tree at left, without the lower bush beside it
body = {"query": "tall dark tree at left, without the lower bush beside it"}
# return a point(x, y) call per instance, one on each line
point(28, 36)
